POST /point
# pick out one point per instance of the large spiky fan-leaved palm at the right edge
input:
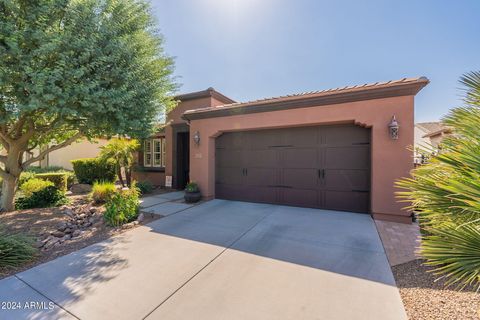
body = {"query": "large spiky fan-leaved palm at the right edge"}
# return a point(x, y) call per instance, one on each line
point(446, 194)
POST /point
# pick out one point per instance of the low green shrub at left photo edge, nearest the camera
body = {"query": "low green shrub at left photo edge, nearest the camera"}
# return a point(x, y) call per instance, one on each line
point(15, 249)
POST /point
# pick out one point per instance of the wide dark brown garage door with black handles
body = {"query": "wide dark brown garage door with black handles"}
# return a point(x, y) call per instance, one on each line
point(320, 167)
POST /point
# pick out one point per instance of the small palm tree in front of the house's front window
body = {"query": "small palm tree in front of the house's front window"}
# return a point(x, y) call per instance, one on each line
point(121, 150)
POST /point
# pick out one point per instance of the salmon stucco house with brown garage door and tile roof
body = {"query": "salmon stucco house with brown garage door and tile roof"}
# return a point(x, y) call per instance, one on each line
point(339, 149)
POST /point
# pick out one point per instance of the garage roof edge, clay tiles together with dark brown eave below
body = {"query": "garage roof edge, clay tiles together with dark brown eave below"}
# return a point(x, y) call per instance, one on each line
point(405, 86)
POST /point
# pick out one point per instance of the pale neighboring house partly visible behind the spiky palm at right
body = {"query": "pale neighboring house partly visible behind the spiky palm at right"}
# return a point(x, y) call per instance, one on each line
point(427, 137)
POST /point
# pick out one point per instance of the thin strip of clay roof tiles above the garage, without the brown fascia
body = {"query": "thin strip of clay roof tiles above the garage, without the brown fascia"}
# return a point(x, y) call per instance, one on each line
point(419, 82)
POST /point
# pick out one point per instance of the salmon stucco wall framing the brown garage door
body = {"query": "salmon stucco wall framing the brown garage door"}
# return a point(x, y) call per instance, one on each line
point(390, 159)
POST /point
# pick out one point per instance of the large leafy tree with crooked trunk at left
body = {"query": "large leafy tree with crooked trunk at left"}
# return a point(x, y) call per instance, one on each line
point(72, 69)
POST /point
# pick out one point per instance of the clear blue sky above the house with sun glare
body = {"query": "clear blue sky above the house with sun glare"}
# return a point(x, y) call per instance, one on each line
point(249, 49)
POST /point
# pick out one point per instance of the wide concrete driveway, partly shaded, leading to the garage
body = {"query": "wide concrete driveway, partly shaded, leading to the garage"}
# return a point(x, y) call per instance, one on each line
point(220, 260)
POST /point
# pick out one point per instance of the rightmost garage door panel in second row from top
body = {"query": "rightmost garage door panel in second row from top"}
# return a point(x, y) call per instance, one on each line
point(352, 157)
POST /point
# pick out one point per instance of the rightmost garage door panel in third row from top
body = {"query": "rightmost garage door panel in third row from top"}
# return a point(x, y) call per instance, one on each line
point(347, 180)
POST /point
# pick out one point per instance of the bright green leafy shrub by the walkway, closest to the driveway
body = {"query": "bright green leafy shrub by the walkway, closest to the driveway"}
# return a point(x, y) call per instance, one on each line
point(123, 207)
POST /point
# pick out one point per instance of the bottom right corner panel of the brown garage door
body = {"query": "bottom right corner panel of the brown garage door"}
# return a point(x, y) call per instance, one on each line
point(347, 201)
